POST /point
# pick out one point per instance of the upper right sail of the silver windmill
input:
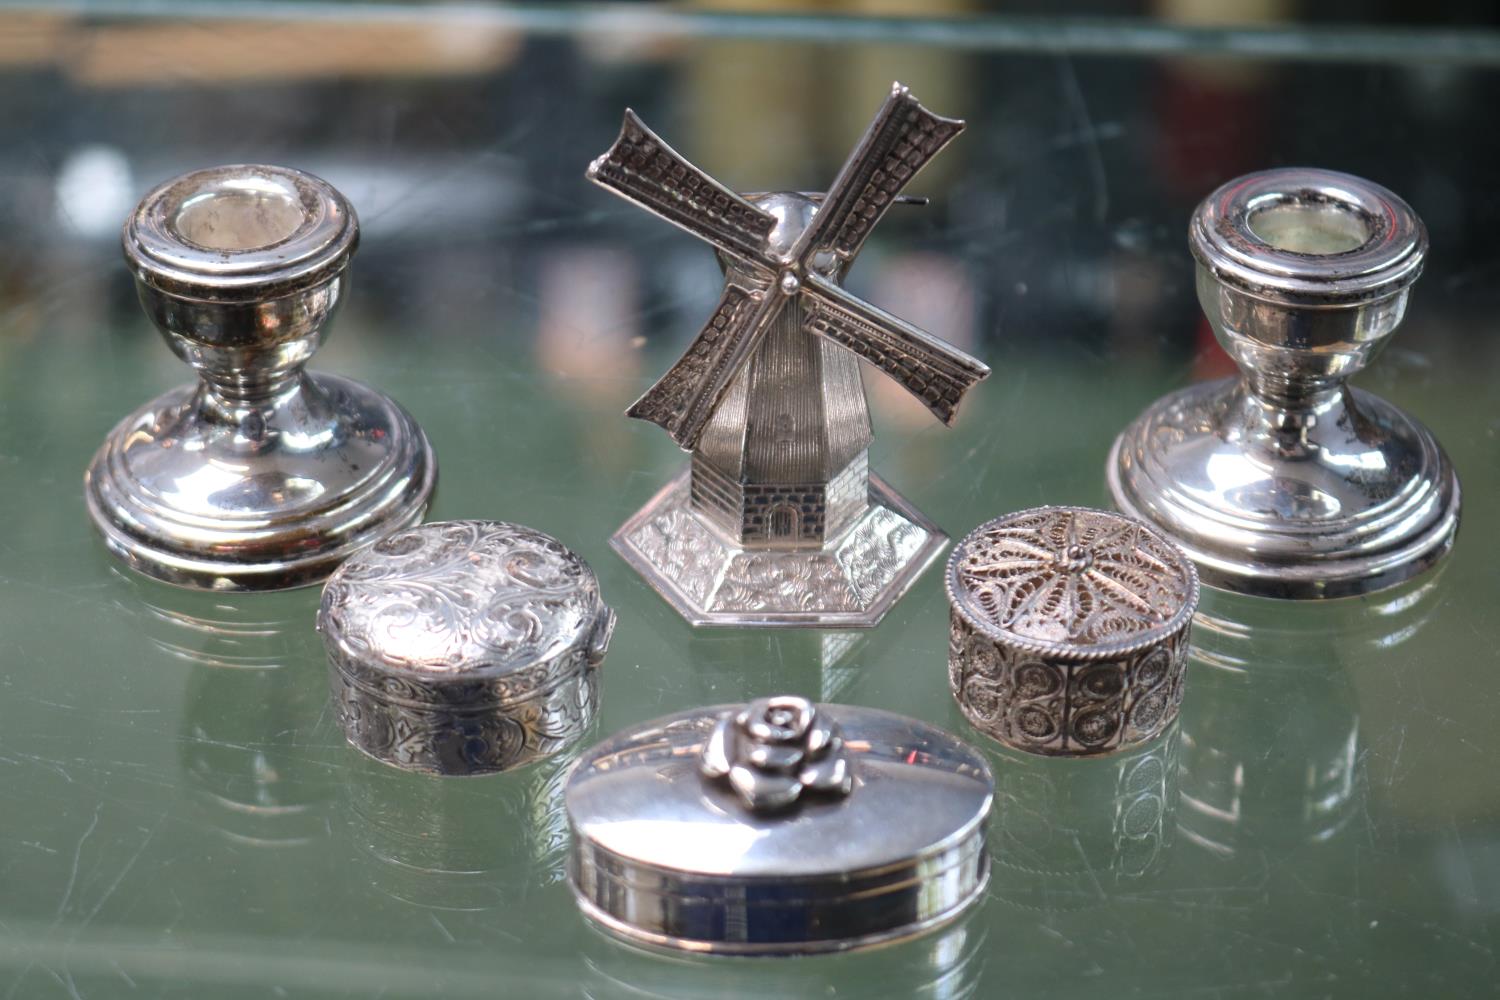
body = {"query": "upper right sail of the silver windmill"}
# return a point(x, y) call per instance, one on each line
point(898, 145)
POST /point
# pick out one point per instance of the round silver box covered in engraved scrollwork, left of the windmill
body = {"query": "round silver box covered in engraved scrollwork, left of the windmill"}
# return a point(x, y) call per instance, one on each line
point(464, 647)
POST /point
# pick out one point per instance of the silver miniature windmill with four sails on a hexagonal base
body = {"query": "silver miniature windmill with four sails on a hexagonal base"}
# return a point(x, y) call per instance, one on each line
point(778, 521)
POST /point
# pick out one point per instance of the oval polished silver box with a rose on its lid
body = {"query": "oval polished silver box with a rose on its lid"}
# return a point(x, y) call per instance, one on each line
point(778, 827)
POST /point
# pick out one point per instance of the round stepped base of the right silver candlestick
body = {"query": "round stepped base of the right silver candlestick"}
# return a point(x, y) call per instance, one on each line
point(1345, 499)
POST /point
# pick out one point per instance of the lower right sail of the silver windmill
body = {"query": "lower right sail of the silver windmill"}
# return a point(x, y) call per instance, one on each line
point(931, 370)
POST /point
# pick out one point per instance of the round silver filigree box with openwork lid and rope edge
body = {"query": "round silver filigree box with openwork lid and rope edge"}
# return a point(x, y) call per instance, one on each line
point(1069, 630)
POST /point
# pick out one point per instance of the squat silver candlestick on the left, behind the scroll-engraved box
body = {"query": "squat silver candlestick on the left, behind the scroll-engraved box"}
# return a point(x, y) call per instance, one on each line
point(260, 476)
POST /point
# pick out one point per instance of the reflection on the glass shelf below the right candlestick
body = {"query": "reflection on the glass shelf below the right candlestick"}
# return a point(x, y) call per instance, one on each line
point(1271, 744)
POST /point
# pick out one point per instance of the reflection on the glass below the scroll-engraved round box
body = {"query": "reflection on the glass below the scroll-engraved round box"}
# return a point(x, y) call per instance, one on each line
point(457, 843)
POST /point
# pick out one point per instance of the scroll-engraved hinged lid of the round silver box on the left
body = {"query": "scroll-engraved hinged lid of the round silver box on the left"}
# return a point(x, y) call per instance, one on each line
point(463, 612)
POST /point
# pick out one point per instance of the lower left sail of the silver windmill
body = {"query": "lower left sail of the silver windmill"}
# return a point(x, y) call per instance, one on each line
point(685, 398)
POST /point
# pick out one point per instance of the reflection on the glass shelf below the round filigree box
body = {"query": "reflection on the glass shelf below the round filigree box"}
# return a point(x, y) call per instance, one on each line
point(1067, 833)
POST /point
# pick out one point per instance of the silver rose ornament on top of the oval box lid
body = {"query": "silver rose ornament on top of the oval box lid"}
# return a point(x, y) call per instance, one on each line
point(776, 750)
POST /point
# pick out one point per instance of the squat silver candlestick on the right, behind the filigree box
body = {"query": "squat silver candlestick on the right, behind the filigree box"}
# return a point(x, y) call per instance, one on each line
point(1286, 482)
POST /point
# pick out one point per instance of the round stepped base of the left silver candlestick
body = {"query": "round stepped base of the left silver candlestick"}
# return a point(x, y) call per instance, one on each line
point(259, 499)
